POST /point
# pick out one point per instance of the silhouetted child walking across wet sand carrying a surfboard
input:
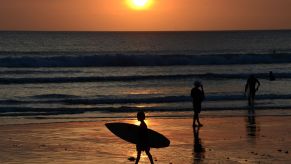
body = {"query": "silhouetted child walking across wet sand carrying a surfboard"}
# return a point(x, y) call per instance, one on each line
point(143, 140)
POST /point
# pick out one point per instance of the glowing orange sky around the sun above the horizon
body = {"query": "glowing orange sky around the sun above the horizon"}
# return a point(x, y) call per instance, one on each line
point(115, 15)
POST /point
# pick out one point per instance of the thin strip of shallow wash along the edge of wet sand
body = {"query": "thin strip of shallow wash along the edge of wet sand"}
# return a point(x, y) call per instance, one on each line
point(105, 116)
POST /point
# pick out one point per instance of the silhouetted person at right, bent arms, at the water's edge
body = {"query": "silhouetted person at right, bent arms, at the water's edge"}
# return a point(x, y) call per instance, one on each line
point(251, 87)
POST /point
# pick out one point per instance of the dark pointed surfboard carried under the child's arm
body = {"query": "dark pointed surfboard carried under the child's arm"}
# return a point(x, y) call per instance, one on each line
point(129, 133)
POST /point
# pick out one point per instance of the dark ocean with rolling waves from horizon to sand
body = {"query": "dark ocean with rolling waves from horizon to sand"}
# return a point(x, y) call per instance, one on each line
point(115, 74)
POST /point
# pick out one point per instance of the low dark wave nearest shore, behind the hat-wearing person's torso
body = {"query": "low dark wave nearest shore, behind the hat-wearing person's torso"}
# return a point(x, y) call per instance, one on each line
point(75, 100)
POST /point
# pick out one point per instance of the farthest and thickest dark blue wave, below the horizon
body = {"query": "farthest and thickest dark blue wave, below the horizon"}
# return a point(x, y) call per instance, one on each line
point(140, 59)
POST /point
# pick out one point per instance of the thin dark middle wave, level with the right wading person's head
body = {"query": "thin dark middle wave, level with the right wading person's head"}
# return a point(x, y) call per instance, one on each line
point(41, 80)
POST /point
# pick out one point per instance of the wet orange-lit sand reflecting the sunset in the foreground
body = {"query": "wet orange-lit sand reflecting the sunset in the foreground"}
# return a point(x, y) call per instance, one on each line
point(263, 139)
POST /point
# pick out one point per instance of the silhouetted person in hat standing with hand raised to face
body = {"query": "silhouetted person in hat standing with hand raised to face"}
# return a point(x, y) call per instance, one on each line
point(197, 94)
